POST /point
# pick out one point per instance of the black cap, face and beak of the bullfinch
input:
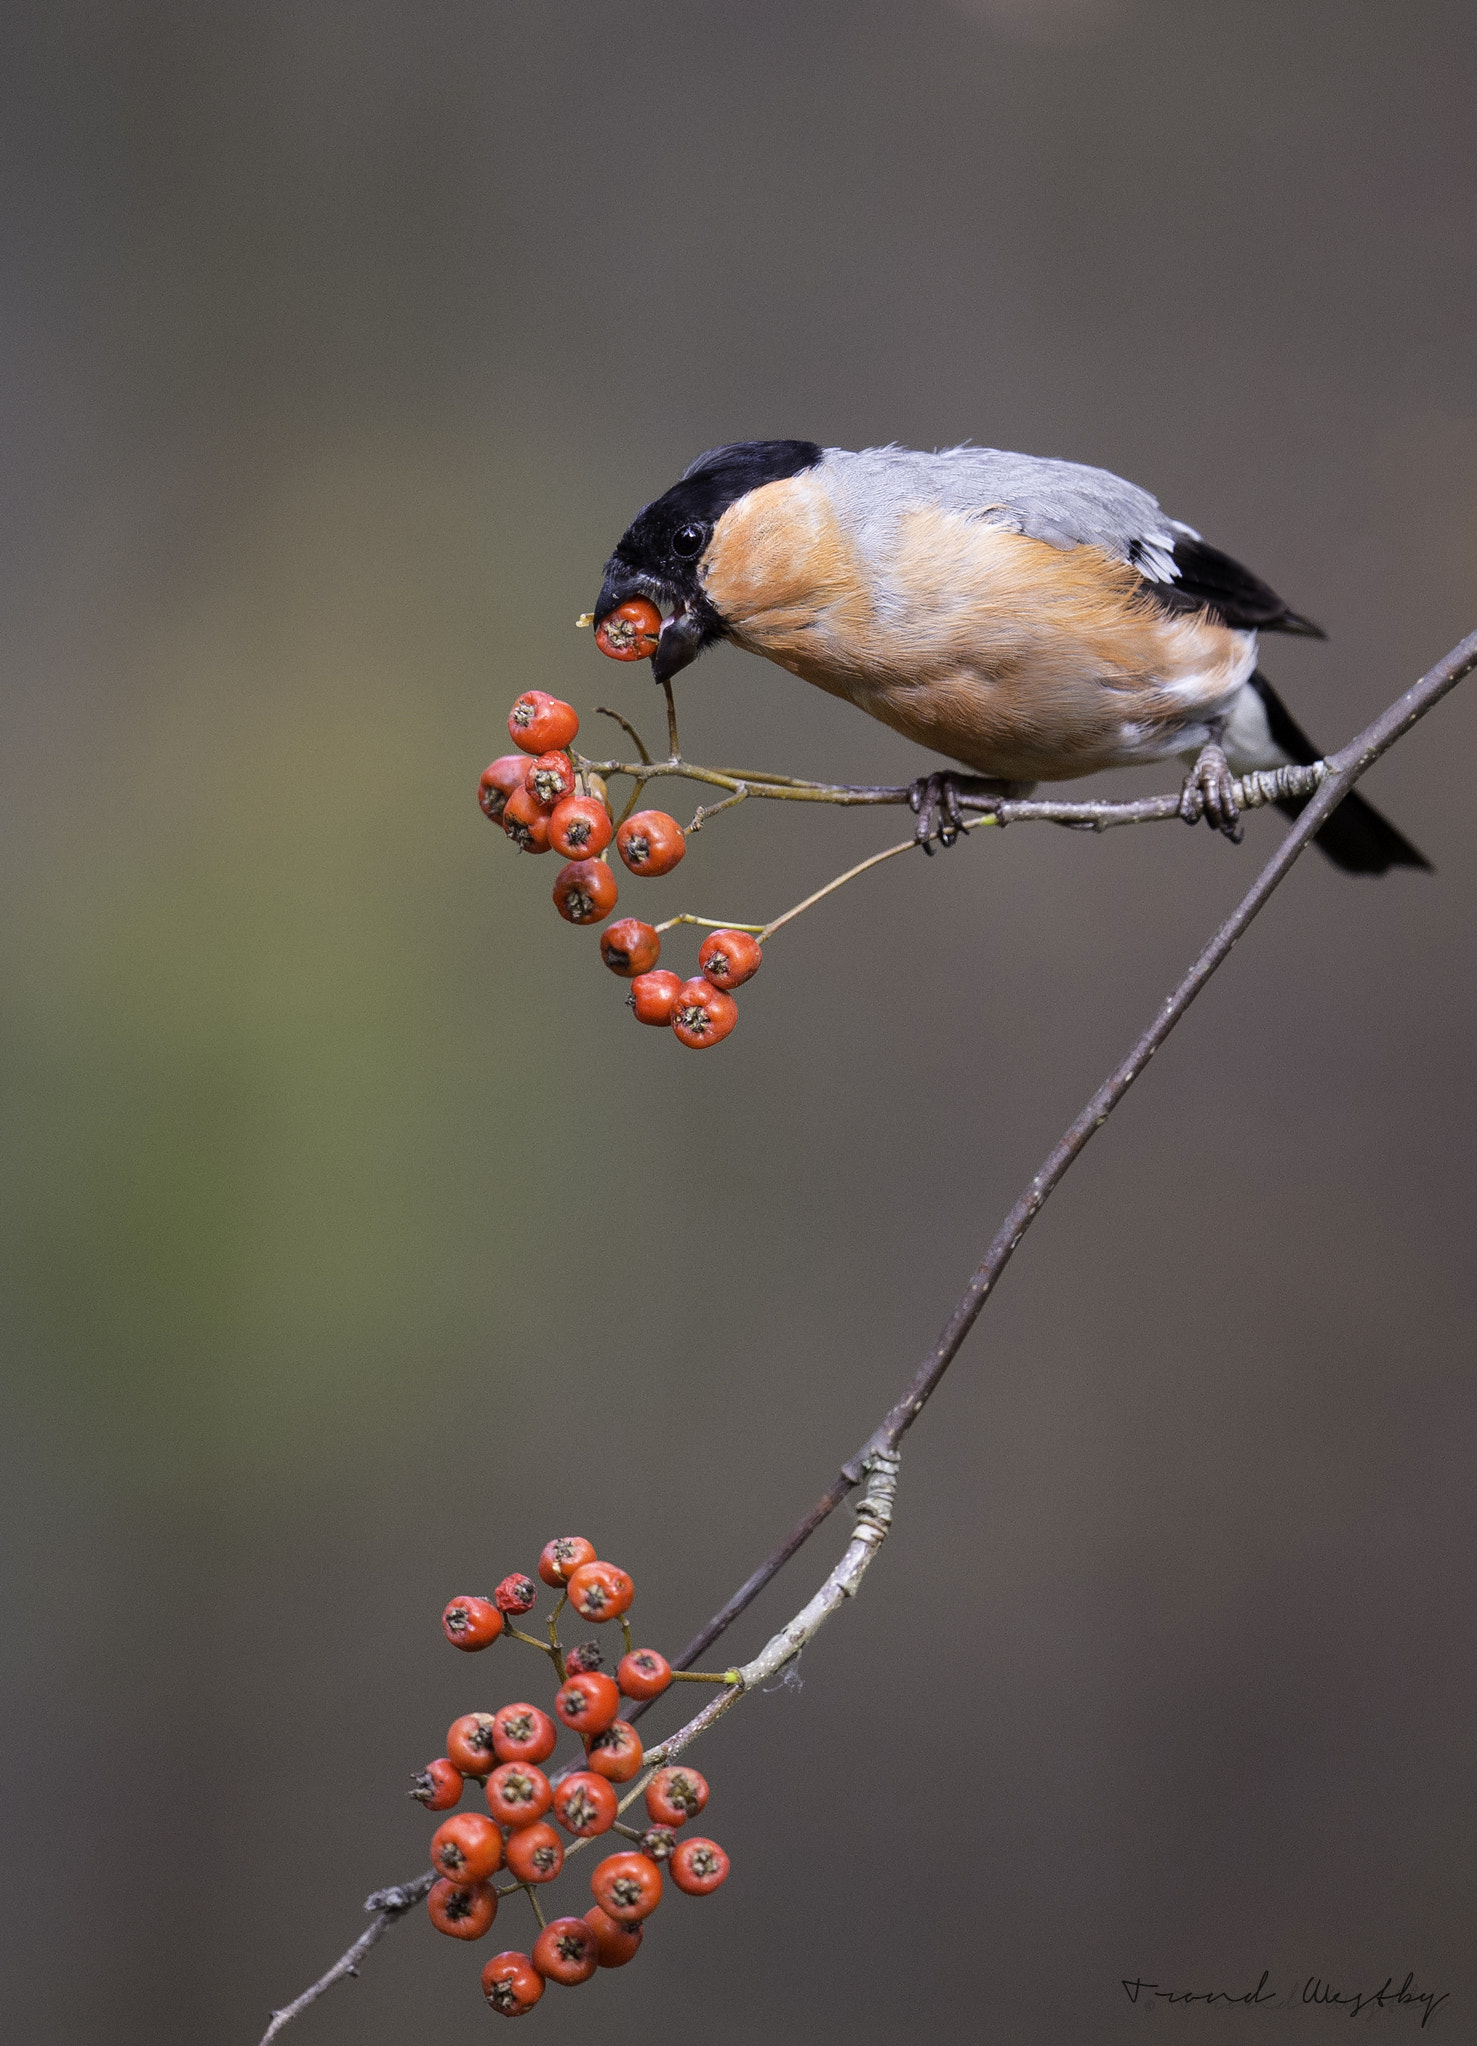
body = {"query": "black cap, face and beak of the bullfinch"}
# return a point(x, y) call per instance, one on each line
point(662, 551)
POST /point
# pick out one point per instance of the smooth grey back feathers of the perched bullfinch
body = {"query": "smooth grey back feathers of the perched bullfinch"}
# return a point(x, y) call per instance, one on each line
point(1065, 504)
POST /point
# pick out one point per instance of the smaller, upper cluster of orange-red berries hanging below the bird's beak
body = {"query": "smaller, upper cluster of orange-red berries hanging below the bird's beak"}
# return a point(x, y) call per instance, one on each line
point(549, 803)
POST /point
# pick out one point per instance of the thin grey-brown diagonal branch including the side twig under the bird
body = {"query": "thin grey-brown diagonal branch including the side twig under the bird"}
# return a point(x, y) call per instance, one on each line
point(877, 1462)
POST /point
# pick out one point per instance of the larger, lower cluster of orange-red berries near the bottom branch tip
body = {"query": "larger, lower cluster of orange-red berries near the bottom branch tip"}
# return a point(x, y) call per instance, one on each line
point(504, 1752)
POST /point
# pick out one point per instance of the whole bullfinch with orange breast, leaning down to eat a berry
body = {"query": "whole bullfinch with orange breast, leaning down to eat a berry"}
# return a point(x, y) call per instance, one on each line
point(1028, 619)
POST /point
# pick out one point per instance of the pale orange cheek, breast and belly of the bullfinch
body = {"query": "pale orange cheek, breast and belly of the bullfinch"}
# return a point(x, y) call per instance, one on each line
point(1012, 656)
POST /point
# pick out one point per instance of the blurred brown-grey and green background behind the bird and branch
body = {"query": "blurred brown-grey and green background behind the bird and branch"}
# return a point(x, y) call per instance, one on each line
point(357, 1241)
